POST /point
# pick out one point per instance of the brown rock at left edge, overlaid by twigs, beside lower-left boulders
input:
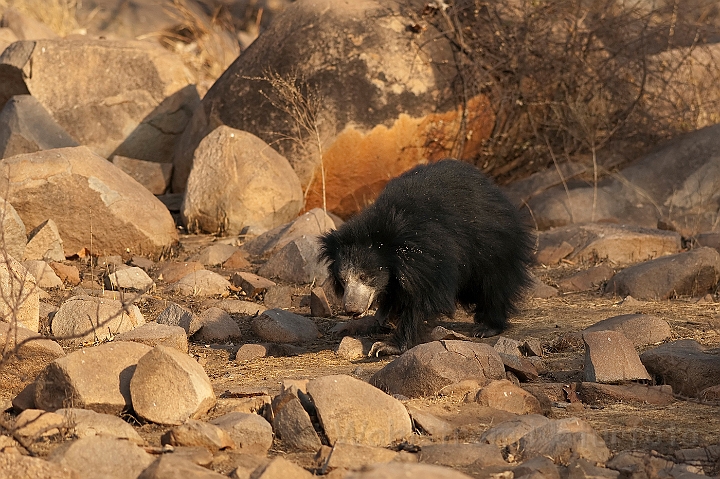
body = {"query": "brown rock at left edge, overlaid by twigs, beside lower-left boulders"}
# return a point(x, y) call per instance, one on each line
point(33, 353)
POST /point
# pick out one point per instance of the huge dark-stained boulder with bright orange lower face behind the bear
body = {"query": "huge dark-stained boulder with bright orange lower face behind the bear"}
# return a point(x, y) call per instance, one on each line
point(348, 82)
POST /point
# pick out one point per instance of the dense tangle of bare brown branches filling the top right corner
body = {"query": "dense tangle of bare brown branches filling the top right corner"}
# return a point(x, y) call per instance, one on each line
point(571, 78)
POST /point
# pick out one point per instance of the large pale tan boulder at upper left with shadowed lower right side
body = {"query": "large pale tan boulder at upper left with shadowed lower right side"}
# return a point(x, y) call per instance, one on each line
point(126, 98)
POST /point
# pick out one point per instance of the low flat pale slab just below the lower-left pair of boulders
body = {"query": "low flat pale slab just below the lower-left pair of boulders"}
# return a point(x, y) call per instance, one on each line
point(86, 423)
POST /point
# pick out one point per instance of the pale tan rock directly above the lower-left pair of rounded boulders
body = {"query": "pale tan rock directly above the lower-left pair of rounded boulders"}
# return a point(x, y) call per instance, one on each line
point(84, 318)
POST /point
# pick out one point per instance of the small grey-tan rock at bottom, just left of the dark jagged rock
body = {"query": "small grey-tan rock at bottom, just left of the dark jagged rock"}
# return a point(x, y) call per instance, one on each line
point(250, 432)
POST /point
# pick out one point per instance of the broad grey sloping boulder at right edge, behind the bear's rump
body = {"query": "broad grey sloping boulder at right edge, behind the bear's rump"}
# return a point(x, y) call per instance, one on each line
point(675, 184)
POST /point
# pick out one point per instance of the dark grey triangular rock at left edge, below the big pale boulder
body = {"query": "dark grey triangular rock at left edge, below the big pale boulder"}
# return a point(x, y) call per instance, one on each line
point(26, 126)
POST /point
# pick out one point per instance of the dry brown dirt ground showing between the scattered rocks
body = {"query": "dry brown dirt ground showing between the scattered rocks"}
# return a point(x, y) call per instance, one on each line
point(684, 424)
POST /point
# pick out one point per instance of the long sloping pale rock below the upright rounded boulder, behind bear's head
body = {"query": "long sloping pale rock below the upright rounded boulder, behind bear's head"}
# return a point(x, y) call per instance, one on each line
point(313, 223)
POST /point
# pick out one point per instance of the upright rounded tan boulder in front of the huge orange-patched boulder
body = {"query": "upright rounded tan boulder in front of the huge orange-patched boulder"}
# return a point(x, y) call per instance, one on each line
point(259, 187)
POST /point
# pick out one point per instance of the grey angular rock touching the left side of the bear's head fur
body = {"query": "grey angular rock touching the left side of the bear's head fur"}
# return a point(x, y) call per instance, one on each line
point(296, 262)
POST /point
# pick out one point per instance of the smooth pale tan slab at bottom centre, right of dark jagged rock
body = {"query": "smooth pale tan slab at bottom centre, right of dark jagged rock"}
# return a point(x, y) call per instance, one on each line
point(353, 411)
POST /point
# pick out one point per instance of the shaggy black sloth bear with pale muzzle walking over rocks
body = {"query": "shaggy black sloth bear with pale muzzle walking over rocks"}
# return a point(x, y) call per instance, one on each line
point(437, 235)
